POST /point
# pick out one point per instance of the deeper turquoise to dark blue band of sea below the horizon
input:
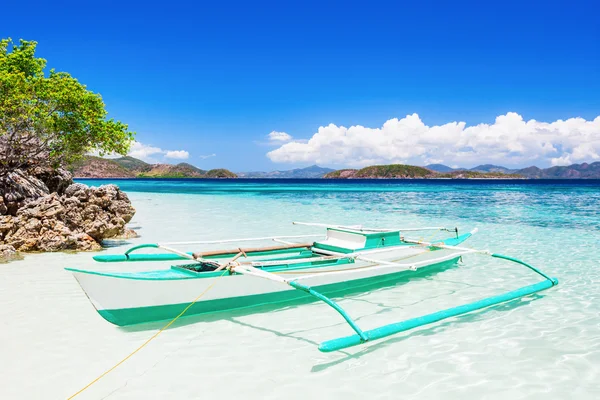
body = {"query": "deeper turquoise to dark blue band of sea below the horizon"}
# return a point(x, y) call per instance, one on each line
point(548, 203)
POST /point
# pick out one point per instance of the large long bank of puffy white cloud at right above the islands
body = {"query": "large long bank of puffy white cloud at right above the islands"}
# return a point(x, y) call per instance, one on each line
point(509, 141)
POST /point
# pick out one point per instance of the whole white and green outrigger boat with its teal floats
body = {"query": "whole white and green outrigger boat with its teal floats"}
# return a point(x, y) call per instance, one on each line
point(349, 257)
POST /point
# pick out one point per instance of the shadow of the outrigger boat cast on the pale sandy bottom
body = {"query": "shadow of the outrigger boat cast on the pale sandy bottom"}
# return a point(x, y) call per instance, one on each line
point(362, 292)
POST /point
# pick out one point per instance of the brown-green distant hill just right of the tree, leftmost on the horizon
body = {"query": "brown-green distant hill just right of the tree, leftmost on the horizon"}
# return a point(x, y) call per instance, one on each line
point(129, 167)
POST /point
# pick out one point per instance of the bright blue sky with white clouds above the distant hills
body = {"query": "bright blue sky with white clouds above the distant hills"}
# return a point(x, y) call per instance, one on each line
point(214, 79)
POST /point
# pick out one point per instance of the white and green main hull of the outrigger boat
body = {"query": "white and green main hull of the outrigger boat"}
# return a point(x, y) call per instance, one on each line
point(126, 301)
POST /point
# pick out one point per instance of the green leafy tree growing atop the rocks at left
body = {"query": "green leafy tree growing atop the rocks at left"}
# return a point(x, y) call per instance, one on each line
point(49, 120)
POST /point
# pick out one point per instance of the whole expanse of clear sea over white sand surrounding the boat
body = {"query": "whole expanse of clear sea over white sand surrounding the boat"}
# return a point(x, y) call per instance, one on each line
point(545, 346)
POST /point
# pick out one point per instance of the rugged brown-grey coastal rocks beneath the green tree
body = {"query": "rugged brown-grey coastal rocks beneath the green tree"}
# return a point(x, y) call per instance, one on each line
point(71, 216)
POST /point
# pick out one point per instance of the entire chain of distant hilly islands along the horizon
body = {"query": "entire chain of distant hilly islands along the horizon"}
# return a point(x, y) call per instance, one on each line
point(129, 167)
